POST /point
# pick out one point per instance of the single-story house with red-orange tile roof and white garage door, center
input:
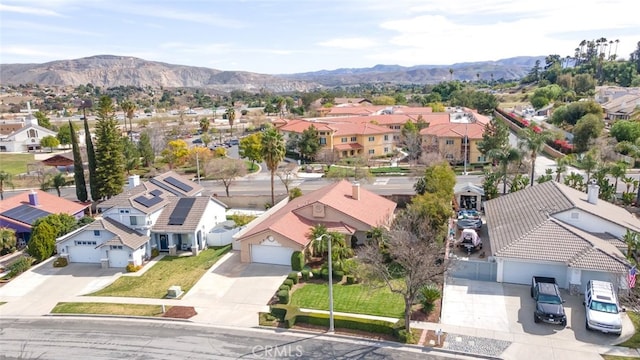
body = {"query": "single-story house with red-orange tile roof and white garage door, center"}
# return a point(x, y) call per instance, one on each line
point(342, 207)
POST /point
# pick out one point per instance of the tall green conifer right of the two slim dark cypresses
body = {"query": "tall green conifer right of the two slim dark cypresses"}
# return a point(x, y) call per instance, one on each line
point(109, 151)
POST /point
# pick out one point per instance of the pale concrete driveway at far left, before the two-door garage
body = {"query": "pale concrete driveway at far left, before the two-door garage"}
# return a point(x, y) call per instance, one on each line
point(40, 288)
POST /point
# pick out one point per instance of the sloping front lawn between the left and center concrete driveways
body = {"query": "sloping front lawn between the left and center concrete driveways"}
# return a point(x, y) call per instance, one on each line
point(183, 271)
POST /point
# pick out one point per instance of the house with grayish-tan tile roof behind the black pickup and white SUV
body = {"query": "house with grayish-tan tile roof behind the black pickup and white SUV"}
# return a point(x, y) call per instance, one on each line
point(551, 229)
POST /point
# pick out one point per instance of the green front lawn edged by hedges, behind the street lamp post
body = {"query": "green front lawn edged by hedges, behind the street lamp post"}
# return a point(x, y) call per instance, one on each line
point(356, 298)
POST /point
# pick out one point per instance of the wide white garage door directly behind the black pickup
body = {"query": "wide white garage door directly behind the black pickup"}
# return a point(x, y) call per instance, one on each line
point(516, 272)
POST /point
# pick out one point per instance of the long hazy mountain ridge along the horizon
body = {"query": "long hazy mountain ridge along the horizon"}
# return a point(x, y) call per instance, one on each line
point(110, 71)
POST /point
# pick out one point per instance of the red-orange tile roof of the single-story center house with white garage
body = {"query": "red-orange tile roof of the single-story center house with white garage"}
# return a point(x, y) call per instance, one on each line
point(289, 221)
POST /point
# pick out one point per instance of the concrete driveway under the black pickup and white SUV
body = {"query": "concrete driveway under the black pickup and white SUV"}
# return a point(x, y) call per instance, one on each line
point(508, 309)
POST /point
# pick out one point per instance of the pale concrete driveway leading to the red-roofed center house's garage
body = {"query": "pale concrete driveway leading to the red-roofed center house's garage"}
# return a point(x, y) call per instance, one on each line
point(232, 293)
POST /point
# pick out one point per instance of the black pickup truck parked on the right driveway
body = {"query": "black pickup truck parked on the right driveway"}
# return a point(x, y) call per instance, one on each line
point(549, 308)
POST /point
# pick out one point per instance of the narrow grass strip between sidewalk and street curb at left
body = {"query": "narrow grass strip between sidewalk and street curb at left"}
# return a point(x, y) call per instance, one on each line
point(108, 309)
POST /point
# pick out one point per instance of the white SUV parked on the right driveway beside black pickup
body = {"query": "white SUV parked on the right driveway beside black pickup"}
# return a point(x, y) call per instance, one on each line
point(602, 308)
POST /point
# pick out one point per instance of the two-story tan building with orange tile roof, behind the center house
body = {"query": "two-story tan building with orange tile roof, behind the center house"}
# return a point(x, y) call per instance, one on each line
point(344, 139)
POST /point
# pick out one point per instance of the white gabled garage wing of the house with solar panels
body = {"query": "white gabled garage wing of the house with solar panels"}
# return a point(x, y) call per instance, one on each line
point(106, 242)
